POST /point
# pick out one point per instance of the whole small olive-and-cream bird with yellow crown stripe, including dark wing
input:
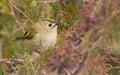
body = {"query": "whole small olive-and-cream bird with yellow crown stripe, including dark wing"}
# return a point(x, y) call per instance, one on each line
point(46, 35)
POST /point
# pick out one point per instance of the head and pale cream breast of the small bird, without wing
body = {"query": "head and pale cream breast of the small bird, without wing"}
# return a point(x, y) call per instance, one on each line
point(46, 33)
